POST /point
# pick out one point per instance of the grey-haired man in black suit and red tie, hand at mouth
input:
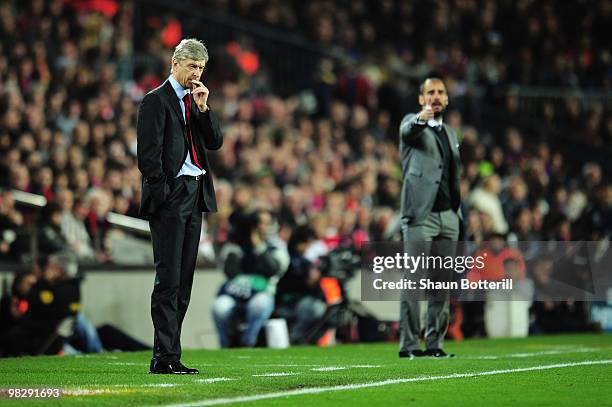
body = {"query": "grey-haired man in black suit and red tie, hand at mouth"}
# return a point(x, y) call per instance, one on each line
point(175, 129)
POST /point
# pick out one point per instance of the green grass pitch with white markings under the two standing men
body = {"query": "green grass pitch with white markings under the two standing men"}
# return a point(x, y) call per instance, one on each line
point(565, 370)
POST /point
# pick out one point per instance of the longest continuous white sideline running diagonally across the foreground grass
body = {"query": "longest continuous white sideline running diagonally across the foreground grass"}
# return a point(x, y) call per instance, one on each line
point(317, 390)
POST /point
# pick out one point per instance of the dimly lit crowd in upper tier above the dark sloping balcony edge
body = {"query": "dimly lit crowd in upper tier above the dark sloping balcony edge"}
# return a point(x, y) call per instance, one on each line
point(527, 42)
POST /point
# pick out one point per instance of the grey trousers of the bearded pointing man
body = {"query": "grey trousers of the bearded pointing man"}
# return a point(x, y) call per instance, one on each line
point(437, 226)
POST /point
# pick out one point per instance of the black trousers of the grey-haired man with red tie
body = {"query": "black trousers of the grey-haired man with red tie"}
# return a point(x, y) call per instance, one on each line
point(175, 231)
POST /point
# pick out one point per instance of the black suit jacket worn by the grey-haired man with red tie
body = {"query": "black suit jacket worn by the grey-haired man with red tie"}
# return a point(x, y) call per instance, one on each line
point(163, 146)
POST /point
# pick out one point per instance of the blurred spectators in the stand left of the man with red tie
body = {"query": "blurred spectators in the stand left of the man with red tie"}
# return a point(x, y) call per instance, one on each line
point(67, 128)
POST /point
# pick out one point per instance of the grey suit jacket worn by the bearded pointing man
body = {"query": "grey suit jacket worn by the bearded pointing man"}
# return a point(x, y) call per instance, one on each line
point(422, 167)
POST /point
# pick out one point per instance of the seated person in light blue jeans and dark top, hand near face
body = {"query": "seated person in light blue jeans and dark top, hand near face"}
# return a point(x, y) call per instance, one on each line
point(253, 269)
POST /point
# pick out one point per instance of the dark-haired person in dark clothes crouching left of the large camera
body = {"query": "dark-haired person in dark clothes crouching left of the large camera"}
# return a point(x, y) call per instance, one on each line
point(300, 299)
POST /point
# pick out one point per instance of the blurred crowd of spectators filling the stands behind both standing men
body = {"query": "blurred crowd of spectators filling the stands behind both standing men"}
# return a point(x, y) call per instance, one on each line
point(69, 96)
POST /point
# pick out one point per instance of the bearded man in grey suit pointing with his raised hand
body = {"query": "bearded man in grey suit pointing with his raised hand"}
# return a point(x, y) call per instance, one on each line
point(430, 202)
